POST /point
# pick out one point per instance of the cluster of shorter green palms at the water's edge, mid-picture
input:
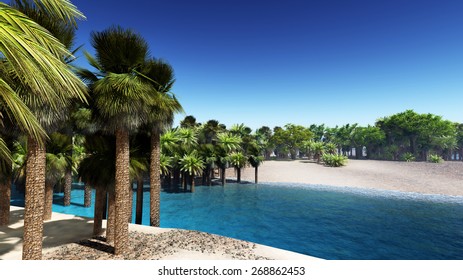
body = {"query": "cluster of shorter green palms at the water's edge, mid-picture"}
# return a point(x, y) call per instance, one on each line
point(199, 149)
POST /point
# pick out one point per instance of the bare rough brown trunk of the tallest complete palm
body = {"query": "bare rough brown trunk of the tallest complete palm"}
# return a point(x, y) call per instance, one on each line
point(121, 234)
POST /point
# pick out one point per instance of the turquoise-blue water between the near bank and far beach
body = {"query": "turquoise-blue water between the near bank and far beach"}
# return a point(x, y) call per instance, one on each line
point(326, 222)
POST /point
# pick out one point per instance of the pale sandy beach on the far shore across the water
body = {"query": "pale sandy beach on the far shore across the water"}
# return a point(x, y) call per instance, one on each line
point(422, 177)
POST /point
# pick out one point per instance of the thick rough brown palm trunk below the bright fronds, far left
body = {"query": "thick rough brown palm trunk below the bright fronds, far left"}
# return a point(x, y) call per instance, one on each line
point(34, 201)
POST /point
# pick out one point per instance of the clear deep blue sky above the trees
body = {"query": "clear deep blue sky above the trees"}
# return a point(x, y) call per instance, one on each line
point(302, 62)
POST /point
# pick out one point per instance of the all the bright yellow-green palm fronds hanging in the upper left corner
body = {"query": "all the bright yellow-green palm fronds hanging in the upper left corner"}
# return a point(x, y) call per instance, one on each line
point(31, 56)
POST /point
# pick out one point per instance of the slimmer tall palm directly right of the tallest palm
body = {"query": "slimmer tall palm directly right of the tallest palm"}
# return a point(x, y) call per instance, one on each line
point(160, 75)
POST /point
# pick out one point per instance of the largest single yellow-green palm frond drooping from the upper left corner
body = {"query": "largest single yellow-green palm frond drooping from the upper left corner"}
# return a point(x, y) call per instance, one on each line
point(35, 56)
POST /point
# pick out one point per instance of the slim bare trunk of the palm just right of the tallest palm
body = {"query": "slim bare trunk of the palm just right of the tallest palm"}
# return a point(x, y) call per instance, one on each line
point(155, 180)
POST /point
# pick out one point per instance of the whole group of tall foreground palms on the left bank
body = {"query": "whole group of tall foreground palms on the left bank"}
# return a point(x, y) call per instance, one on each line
point(46, 100)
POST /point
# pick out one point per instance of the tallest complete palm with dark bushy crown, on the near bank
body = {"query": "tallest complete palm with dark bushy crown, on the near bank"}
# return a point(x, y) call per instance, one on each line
point(120, 99)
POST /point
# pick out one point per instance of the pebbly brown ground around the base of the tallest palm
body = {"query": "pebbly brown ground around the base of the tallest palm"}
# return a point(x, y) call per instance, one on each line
point(145, 246)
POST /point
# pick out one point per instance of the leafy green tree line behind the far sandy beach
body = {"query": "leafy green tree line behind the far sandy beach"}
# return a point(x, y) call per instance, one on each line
point(404, 136)
